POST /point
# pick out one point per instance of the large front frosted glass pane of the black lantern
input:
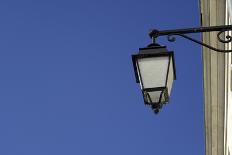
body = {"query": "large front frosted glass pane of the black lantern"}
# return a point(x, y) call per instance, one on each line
point(153, 71)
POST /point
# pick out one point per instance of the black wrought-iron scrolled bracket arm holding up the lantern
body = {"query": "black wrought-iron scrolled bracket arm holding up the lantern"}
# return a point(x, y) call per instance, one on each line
point(182, 32)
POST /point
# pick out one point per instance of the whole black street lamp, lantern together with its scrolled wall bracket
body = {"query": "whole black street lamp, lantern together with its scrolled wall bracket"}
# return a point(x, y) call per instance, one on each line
point(154, 65)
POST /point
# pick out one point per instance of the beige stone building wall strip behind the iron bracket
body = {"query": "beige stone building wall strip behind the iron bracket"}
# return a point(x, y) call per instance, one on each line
point(214, 74)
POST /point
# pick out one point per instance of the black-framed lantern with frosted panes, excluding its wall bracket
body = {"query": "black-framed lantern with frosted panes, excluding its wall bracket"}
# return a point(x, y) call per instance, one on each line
point(154, 69)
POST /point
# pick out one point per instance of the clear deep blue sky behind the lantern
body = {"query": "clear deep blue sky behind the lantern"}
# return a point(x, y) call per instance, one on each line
point(67, 84)
